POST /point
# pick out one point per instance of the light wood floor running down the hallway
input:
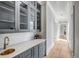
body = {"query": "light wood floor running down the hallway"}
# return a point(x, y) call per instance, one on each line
point(60, 50)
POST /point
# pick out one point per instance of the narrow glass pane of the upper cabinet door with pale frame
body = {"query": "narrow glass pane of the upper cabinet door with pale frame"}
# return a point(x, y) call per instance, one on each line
point(23, 16)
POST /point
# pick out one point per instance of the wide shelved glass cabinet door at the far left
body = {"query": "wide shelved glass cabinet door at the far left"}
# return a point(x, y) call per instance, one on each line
point(7, 15)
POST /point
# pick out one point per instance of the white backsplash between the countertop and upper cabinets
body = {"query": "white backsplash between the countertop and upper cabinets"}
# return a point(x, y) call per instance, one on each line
point(16, 37)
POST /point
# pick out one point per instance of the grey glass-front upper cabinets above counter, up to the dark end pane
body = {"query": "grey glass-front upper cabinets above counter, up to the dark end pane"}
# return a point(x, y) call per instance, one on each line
point(17, 16)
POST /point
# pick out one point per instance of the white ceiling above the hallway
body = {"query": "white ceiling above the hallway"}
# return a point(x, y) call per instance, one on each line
point(61, 9)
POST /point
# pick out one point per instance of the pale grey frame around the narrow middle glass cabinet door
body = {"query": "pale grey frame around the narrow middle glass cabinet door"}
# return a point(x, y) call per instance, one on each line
point(18, 17)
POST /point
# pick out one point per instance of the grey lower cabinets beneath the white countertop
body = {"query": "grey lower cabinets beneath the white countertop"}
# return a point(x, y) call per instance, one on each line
point(37, 51)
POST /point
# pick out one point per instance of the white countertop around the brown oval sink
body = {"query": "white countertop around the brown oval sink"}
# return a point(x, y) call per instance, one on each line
point(21, 47)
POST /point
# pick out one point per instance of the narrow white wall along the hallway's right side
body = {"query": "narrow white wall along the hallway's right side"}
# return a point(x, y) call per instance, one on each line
point(70, 32)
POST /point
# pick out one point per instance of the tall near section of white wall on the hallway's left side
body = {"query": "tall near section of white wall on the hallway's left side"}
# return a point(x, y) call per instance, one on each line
point(50, 26)
